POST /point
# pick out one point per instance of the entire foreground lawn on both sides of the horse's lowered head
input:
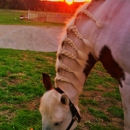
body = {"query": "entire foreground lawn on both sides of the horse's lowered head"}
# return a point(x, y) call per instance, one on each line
point(21, 88)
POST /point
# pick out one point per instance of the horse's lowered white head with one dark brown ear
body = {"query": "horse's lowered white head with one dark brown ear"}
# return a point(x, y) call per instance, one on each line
point(55, 109)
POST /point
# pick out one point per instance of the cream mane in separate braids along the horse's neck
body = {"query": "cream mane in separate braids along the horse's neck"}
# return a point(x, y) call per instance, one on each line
point(82, 57)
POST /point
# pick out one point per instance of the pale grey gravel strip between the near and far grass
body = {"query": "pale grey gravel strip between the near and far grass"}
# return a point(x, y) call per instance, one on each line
point(30, 38)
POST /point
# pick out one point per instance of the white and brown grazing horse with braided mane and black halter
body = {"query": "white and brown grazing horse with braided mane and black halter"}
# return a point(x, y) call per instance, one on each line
point(99, 31)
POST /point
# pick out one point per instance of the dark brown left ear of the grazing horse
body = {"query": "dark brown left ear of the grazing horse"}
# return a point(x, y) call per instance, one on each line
point(46, 81)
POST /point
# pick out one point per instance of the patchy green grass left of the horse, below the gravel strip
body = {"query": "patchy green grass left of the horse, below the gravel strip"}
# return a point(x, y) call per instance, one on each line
point(21, 87)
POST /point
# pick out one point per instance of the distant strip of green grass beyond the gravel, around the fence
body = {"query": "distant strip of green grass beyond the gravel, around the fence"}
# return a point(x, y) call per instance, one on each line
point(12, 17)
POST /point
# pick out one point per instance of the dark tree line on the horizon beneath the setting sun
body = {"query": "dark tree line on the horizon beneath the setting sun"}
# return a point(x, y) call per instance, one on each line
point(38, 5)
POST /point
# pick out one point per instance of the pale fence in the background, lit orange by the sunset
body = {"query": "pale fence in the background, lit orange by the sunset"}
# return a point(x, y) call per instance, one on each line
point(48, 16)
